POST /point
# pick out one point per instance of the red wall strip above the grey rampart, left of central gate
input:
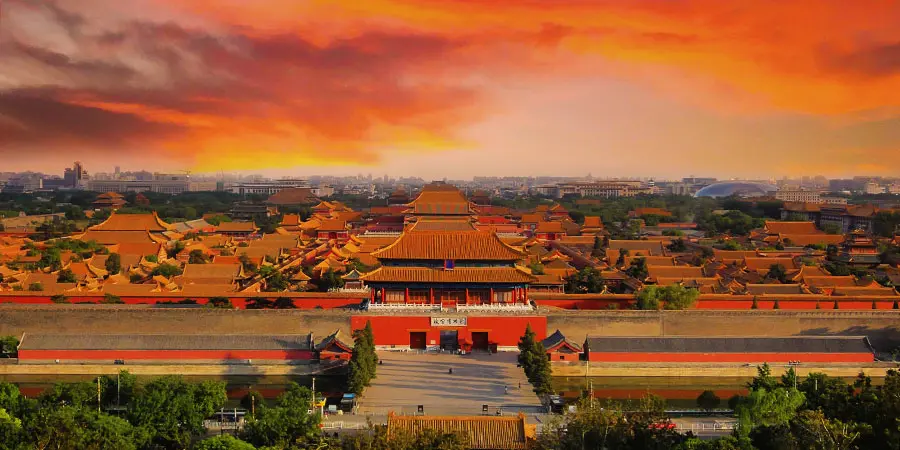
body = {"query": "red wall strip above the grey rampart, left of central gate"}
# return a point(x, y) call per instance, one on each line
point(305, 302)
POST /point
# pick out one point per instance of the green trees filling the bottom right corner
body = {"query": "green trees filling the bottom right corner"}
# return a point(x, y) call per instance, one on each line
point(819, 412)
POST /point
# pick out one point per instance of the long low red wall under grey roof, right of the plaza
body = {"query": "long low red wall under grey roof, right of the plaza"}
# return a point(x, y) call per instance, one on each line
point(731, 357)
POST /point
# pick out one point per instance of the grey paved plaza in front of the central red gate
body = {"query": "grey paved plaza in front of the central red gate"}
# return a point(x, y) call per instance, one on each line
point(409, 379)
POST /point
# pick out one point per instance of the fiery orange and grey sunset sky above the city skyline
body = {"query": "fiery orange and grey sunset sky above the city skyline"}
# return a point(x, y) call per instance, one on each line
point(453, 88)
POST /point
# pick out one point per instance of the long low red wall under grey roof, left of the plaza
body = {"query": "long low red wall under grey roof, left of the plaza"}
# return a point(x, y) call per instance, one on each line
point(82, 355)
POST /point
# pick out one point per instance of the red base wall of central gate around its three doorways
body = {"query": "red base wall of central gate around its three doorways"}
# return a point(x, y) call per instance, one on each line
point(503, 331)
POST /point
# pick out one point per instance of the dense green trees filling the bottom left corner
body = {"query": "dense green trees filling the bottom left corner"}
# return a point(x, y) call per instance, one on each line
point(164, 413)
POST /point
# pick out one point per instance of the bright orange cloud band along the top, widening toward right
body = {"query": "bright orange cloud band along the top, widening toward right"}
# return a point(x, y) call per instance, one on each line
point(812, 56)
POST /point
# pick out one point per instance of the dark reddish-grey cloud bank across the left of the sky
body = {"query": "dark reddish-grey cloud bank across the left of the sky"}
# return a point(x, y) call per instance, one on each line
point(338, 91)
